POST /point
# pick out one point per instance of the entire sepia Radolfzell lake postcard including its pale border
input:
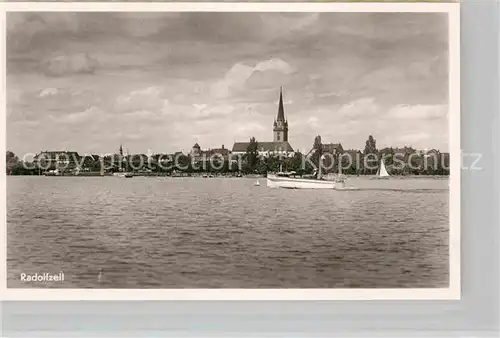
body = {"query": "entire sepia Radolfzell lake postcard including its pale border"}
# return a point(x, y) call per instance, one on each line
point(301, 149)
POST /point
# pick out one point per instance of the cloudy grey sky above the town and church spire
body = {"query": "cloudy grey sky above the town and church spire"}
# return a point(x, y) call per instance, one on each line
point(161, 82)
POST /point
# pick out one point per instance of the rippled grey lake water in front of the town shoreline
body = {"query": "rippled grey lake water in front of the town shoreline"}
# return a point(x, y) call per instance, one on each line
point(226, 233)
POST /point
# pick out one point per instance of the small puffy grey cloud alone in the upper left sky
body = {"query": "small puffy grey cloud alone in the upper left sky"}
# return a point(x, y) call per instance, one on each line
point(70, 64)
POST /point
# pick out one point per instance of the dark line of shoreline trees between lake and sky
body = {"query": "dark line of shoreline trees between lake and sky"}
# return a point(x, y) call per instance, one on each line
point(398, 161)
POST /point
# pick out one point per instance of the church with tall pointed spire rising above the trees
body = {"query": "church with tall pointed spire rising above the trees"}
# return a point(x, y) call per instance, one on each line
point(279, 145)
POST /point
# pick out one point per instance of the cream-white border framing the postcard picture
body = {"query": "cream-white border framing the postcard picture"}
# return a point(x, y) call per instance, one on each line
point(452, 292)
